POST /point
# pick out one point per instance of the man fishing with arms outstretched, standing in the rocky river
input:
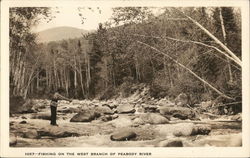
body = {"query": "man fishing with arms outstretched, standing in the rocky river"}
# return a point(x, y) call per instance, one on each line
point(53, 106)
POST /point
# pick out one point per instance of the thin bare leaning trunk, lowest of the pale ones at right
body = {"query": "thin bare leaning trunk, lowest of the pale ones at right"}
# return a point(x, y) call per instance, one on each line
point(190, 71)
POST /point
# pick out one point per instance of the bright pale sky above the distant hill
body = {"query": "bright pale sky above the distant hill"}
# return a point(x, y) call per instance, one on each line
point(69, 16)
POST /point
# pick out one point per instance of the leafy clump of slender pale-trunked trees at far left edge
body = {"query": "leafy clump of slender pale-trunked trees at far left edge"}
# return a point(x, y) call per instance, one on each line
point(21, 39)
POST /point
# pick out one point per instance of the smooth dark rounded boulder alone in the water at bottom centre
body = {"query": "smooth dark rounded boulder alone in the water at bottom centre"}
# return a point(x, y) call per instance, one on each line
point(123, 135)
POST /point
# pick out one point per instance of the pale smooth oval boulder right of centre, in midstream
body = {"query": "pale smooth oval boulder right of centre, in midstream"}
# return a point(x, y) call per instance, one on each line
point(153, 118)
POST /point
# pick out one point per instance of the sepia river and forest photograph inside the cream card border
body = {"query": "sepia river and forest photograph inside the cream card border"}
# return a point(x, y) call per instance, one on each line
point(125, 76)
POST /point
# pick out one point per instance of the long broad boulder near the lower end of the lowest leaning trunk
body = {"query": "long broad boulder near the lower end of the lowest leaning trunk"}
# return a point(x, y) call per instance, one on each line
point(178, 112)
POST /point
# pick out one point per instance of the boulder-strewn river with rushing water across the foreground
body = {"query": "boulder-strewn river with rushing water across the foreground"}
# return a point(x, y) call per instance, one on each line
point(121, 123)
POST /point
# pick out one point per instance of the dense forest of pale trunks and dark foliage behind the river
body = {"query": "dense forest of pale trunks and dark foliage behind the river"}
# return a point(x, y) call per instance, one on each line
point(170, 53)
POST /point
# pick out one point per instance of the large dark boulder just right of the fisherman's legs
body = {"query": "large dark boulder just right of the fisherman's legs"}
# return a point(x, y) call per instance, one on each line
point(85, 116)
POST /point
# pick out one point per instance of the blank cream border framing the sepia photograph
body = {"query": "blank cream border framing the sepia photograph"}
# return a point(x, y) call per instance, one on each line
point(6, 151)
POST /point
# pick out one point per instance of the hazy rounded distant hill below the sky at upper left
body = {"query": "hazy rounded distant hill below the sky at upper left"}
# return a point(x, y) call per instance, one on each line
point(60, 33)
